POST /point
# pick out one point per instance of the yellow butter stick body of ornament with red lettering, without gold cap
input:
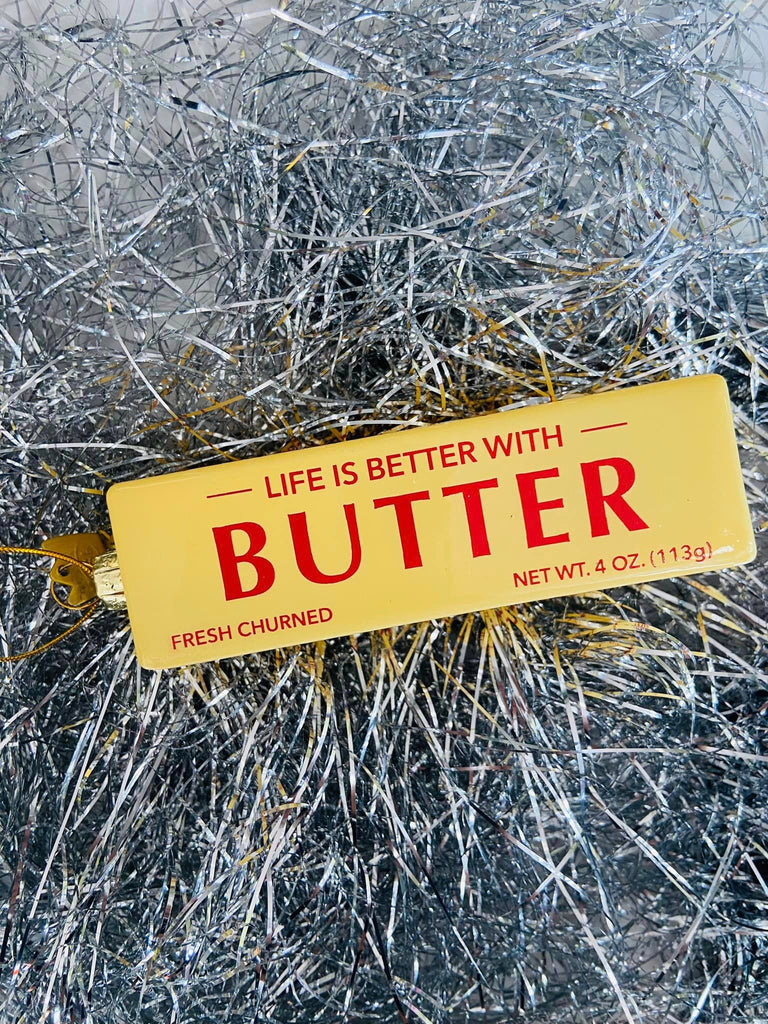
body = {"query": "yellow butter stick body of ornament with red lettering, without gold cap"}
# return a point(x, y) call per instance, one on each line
point(567, 498)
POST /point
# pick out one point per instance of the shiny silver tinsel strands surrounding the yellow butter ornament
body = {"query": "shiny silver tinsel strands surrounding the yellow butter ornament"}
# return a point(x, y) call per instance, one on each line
point(219, 242)
